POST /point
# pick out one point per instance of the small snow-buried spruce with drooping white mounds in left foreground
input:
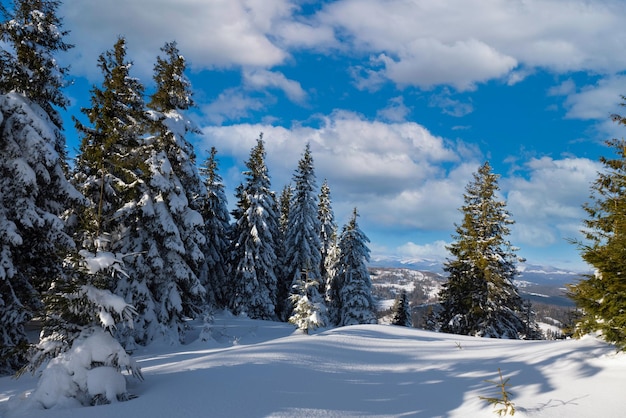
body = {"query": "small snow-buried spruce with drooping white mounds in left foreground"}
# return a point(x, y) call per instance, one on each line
point(79, 359)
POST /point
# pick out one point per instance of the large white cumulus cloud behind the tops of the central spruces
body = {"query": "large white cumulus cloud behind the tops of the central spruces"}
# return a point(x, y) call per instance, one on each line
point(393, 172)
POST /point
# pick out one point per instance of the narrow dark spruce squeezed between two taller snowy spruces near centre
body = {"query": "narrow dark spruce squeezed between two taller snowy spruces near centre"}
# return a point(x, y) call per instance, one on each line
point(283, 272)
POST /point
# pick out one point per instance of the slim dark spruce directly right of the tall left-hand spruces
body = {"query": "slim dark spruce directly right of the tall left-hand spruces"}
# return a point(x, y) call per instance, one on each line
point(217, 230)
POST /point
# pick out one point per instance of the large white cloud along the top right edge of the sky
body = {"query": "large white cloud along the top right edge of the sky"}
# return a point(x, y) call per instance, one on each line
point(461, 43)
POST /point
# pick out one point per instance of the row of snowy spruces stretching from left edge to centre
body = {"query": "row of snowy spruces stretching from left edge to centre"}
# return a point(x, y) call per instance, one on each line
point(136, 202)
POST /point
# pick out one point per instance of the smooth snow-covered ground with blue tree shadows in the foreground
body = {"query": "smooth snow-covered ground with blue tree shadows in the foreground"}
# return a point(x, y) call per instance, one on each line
point(266, 369)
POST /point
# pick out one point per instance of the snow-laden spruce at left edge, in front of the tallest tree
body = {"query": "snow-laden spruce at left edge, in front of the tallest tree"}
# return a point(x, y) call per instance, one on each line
point(34, 192)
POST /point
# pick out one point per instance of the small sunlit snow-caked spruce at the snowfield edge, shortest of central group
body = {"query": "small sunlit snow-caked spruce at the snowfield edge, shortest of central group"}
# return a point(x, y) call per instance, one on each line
point(309, 310)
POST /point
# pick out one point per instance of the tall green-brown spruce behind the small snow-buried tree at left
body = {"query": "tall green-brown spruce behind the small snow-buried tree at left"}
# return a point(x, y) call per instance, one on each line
point(110, 160)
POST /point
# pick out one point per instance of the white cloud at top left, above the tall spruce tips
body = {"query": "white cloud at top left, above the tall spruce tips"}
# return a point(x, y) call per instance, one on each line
point(217, 33)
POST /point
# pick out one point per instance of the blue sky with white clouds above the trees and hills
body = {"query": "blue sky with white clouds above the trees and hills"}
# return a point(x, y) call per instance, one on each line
point(400, 100)
